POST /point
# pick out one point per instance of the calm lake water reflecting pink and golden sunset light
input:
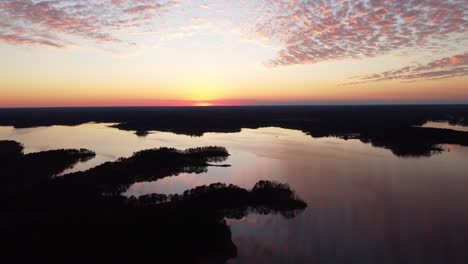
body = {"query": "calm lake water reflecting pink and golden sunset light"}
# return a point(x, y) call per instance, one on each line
point(365, 205)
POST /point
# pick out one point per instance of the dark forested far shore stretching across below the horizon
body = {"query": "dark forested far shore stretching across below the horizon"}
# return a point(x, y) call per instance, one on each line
point(392, 127)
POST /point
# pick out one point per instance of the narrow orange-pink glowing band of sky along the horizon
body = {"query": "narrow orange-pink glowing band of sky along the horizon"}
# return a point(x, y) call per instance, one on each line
point(356, 98)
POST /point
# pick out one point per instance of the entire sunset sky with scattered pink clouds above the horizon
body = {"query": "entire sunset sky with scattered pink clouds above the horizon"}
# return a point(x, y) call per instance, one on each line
point(232, 52)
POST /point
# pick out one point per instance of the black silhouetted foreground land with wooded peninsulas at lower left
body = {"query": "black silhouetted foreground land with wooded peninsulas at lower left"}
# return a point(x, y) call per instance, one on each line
point(82, 218)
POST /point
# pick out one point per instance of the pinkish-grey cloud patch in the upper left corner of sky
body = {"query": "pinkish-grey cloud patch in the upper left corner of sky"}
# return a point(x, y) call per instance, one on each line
point(25, 21)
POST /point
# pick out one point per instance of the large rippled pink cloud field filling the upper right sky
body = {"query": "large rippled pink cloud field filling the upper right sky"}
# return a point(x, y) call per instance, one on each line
point(319, 30)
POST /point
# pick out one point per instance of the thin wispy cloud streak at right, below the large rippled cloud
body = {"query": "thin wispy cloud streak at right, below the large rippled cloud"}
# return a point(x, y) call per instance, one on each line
point(448, 67)
